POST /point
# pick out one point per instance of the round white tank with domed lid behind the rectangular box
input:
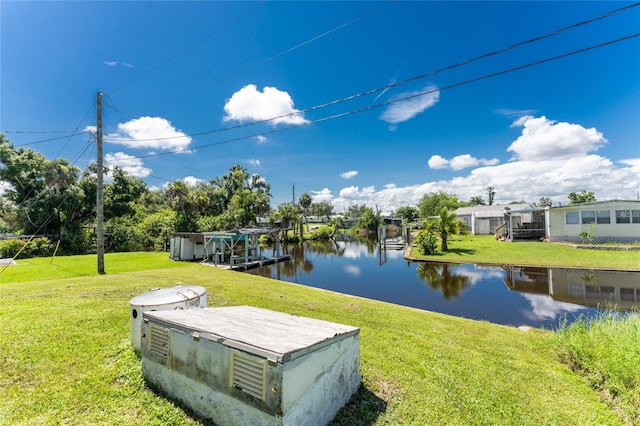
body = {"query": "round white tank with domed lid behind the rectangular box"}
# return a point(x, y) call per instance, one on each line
point(163, 299)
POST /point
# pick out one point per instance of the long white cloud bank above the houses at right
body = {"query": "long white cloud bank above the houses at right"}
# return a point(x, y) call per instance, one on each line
point(552, 160)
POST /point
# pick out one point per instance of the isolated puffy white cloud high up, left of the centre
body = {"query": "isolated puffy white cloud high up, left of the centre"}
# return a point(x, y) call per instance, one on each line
point(250, 104)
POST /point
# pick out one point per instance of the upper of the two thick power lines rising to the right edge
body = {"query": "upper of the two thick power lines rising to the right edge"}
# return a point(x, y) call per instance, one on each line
point(391, 85)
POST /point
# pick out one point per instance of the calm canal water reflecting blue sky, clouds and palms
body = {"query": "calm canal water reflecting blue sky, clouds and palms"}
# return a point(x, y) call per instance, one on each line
point(537, 297)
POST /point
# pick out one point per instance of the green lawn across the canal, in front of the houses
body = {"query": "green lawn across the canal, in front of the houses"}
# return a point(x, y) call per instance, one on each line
point(486, 249)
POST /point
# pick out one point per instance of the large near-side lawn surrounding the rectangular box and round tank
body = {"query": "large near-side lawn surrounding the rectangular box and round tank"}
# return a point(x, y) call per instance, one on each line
point(65, 355)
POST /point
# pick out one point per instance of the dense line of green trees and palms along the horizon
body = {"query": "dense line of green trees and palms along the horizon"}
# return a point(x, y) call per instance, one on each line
point(57, 200)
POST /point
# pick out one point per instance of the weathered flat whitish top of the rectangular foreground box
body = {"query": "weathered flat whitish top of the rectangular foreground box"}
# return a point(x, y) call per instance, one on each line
point(266, 333)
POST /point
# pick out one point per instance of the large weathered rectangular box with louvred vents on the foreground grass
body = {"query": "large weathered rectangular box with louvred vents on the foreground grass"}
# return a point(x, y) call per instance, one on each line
point(244, 365)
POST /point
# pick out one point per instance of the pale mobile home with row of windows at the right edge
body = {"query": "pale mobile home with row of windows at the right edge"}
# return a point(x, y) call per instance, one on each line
point(597, 222)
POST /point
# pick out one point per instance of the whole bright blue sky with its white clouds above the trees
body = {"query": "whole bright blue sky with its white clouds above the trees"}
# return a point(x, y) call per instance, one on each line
point(193, 76)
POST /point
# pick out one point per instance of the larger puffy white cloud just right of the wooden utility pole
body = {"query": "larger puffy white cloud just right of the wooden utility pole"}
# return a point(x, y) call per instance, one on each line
point(150, 133)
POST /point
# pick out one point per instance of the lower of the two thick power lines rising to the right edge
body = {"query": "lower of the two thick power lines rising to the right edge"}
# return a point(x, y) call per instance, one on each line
point(379, 105)
